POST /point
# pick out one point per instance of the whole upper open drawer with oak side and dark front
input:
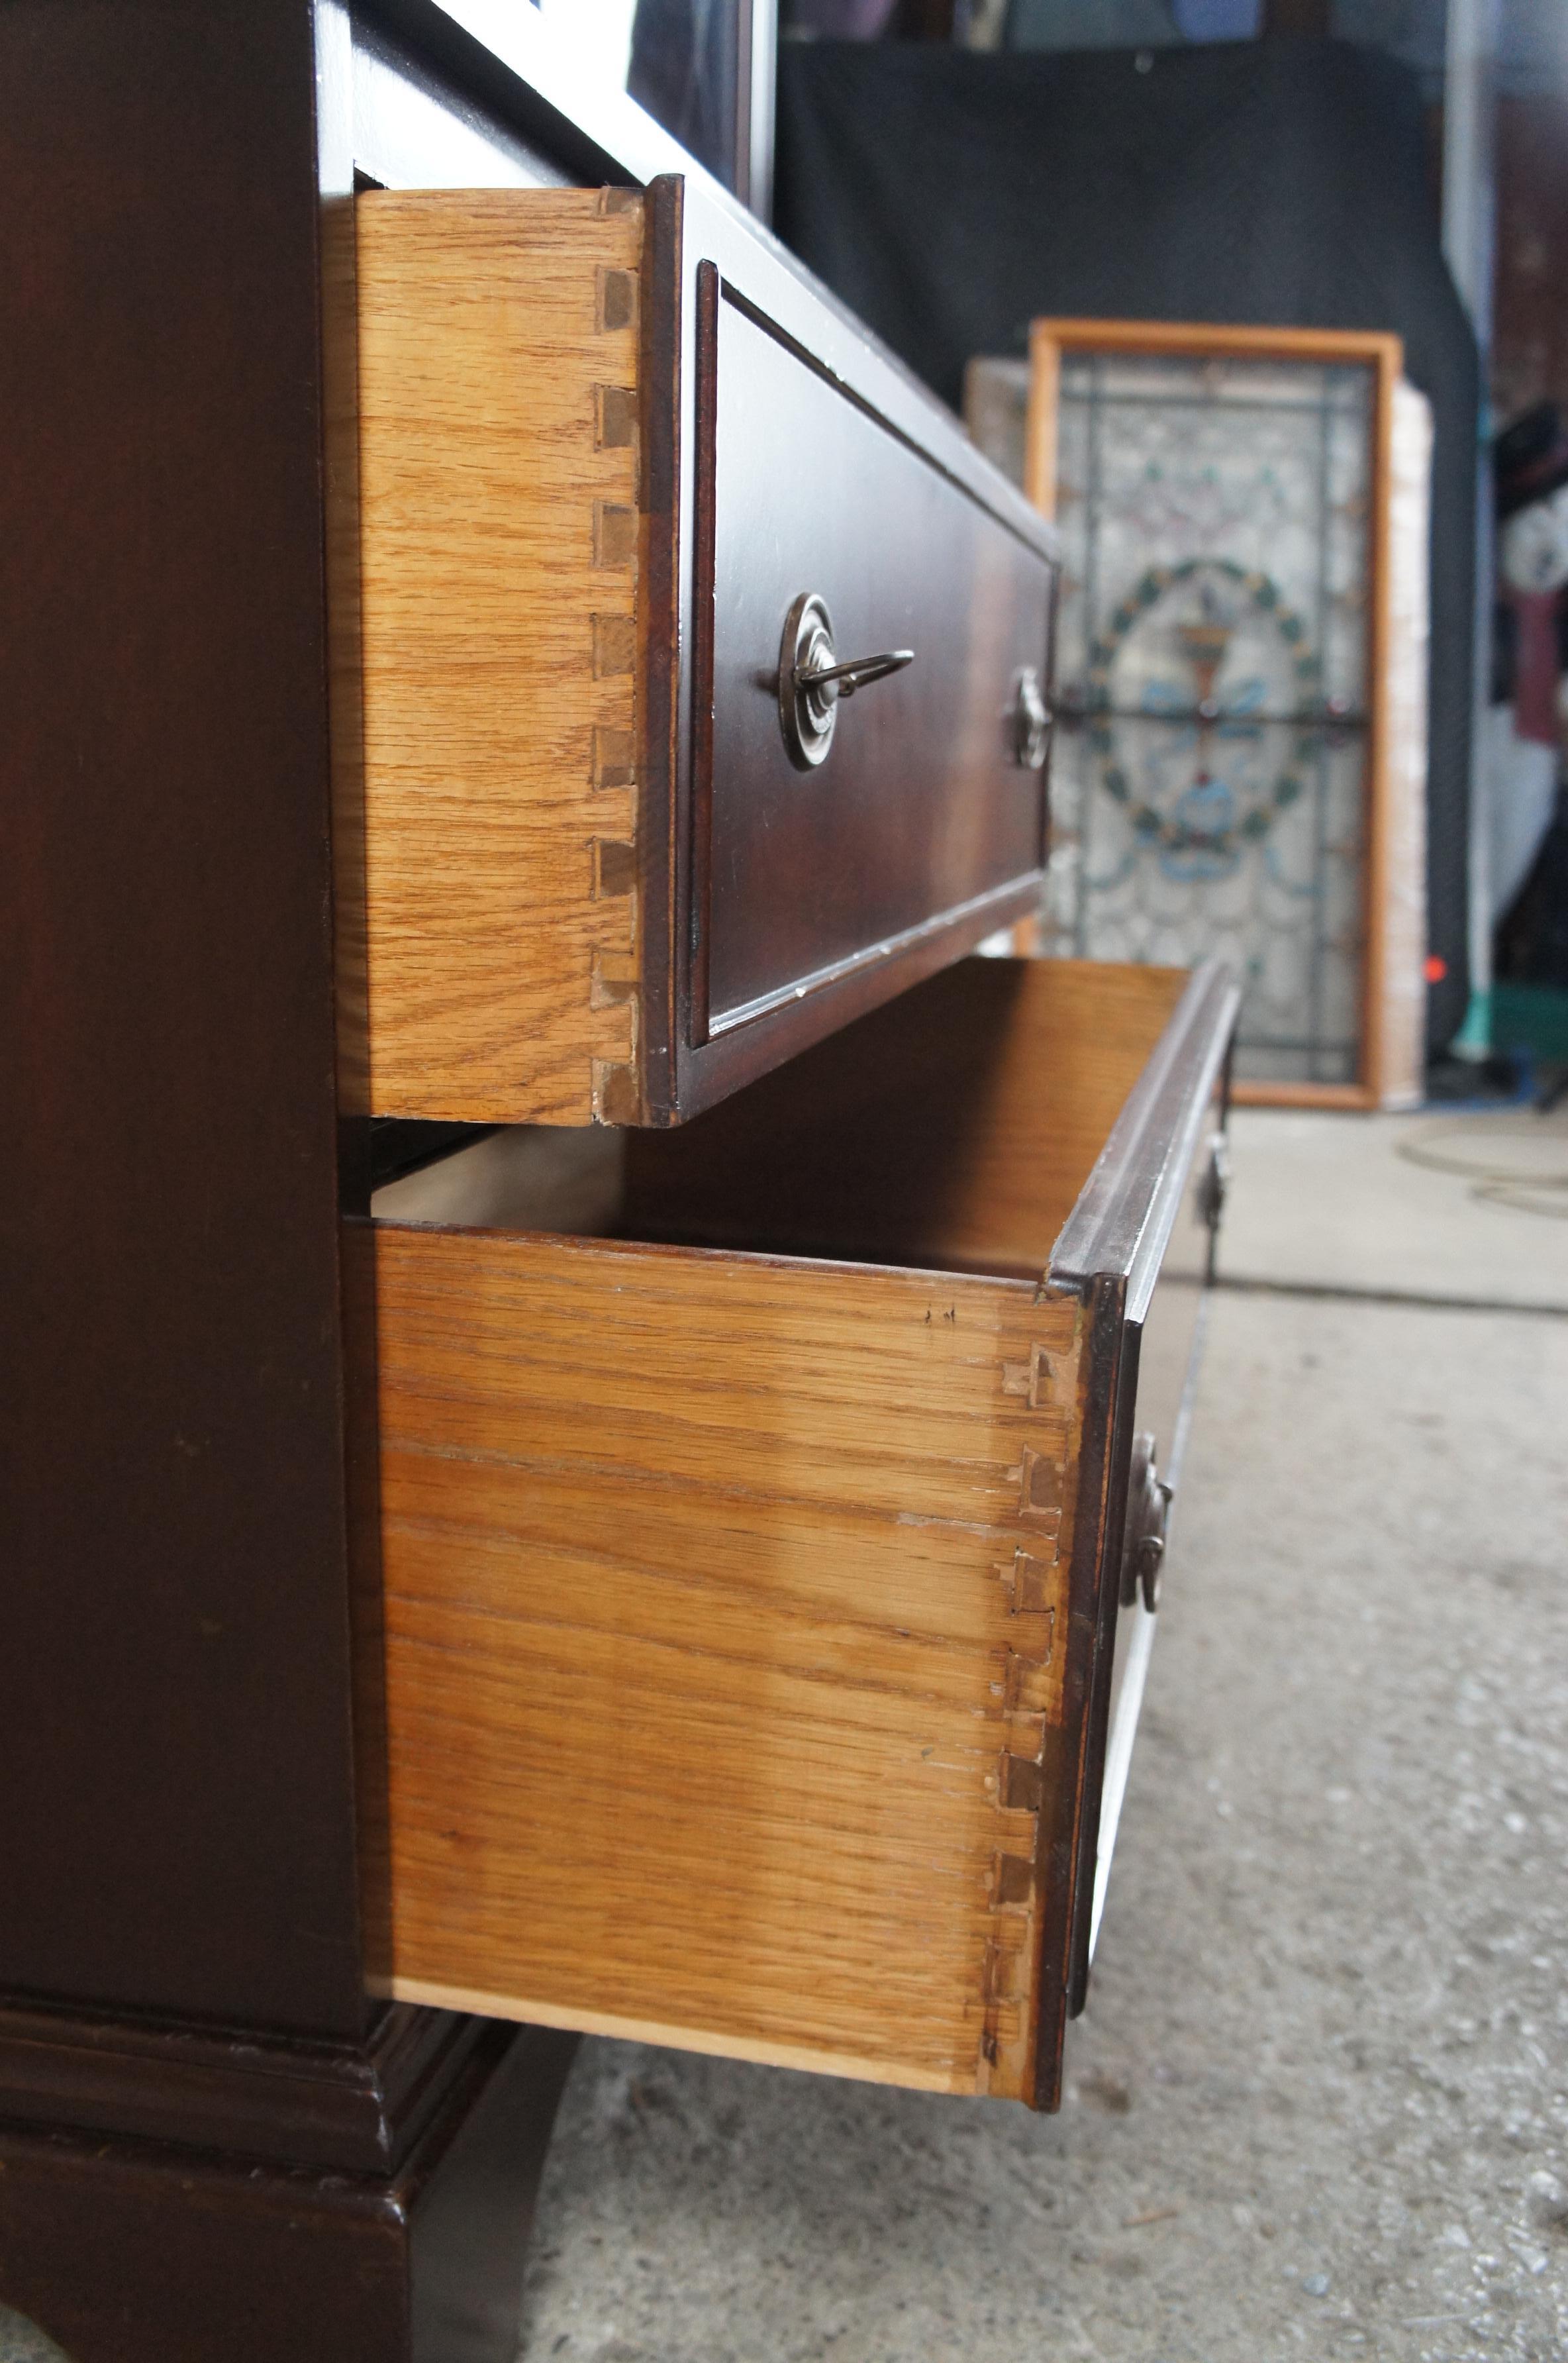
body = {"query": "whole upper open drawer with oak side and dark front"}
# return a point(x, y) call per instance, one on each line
point(632, 497)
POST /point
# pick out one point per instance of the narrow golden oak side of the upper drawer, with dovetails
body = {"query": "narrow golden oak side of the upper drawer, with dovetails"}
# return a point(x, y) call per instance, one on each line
point(499, 590)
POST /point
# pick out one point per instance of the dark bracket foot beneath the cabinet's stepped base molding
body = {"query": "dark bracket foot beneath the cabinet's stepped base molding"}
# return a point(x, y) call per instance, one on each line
point(148, 2251)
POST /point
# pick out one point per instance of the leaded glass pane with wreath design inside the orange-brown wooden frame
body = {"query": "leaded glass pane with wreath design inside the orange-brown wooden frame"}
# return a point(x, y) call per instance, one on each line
point(1210, 772)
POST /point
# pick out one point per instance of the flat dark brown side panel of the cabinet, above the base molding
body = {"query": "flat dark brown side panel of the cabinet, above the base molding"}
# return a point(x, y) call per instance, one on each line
point(176, 1747)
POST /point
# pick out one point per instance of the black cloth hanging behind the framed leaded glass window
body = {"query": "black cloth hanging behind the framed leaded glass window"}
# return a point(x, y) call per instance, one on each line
point(950, 197)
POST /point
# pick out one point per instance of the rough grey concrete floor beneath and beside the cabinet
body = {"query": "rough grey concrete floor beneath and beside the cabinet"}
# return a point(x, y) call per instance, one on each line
point(1319, 2104)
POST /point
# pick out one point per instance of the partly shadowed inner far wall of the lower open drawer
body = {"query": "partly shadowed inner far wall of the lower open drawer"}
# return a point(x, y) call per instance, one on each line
point(955, 1128)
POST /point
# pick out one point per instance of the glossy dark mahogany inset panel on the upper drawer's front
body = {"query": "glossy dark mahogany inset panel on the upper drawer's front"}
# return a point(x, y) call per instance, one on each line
point(922, 802)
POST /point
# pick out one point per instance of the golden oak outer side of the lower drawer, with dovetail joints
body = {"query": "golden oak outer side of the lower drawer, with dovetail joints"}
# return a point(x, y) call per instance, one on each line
point(724, 1639)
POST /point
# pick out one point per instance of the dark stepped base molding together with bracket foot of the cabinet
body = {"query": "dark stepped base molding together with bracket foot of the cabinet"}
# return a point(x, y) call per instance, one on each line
point(126, 2248)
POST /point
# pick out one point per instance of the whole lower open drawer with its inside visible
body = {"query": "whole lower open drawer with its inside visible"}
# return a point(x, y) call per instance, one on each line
point(754, 1521)
